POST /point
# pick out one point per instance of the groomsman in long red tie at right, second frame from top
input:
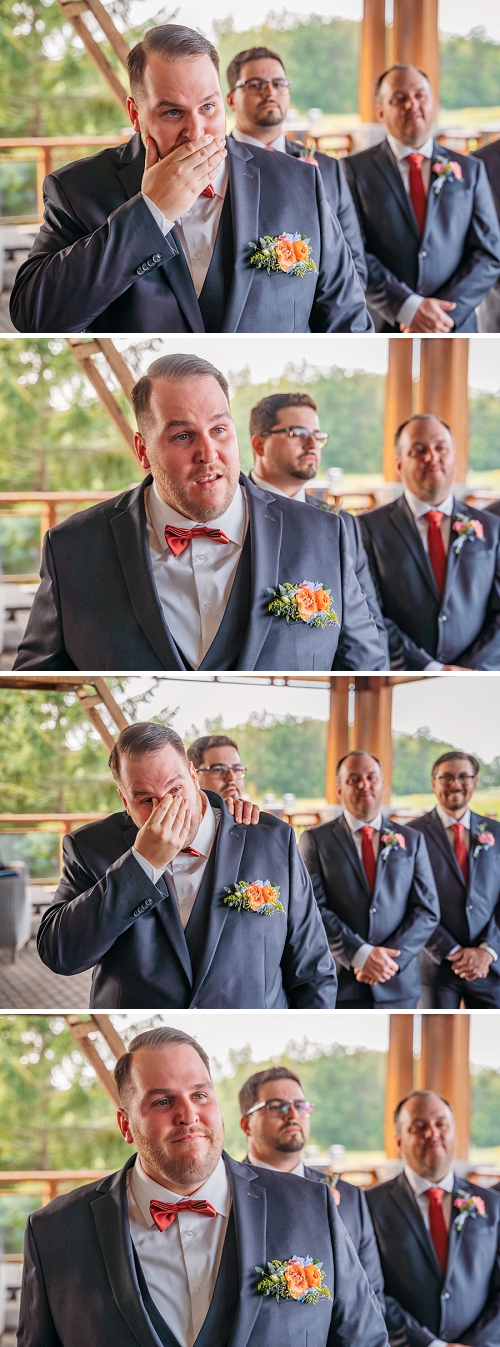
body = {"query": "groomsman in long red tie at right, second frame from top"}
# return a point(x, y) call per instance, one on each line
point(435, 560)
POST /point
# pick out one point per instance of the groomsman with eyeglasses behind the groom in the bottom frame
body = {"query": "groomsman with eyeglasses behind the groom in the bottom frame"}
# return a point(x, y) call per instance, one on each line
point(276, 1119)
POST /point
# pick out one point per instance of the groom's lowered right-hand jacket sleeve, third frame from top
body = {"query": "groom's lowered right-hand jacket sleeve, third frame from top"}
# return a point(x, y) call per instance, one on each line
point(308, 968)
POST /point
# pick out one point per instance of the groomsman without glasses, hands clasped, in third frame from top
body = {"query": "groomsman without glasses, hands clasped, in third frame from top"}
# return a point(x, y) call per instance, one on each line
point(375, 892)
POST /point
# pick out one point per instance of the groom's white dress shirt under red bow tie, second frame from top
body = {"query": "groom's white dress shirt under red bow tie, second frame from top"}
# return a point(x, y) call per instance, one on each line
point(195, 588)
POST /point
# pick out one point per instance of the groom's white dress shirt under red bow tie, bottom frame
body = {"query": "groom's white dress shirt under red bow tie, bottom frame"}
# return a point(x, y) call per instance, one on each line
point(180, 1264)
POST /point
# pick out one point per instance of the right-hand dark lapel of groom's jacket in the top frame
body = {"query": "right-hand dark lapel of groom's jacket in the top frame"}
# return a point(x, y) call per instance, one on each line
point(245, 185)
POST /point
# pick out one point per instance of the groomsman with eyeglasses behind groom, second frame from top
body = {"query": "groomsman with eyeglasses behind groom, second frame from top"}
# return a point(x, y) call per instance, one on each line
point(288, 444)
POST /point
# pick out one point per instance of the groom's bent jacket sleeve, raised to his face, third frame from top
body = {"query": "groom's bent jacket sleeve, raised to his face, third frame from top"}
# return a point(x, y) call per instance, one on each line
point(90, 917)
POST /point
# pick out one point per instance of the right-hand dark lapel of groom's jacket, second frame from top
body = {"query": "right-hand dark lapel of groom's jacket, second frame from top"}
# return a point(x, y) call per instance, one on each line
point(266, 526)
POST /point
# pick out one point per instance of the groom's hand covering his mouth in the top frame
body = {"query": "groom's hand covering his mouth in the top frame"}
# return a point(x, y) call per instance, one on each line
point(176, 183)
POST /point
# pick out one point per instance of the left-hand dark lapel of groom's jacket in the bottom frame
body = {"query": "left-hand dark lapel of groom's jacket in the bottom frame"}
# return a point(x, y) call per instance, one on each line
point(111, 1217)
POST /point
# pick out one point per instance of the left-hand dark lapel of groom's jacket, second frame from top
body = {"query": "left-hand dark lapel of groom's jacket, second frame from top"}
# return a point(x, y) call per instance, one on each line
point(130, 534)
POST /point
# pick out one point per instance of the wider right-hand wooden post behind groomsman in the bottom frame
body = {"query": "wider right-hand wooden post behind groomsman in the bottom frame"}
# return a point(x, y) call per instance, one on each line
point(445, 1067)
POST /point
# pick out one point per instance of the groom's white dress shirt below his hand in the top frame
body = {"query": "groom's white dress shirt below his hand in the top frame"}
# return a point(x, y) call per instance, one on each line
point(197, 228)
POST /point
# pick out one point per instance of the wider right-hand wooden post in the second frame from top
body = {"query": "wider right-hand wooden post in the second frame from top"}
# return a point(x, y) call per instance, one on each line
point(444, 391)
